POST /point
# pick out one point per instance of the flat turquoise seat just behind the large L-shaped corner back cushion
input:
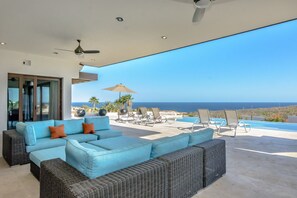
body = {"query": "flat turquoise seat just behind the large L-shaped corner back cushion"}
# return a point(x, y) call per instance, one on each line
point(119, 142)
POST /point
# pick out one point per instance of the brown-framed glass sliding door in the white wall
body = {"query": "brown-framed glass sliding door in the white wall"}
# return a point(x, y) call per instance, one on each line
point(32, 98)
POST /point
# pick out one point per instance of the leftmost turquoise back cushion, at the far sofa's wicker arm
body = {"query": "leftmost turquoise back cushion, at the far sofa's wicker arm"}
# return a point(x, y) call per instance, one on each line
point(28, 132)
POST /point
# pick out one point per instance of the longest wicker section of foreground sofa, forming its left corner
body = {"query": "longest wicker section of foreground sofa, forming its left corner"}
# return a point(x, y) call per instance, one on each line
point(148, 179)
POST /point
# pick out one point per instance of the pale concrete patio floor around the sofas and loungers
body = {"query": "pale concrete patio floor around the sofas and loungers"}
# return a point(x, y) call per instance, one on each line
point(261, 163)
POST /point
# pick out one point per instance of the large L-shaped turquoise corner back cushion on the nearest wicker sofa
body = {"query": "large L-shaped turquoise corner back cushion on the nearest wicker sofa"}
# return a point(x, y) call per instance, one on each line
point(95, 164)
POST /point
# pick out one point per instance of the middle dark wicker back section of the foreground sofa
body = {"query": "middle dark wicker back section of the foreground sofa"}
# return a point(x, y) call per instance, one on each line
point(185, 172)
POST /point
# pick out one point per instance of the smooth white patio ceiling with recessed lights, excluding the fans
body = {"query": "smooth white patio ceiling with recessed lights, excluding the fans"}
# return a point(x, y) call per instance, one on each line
point(40, 26)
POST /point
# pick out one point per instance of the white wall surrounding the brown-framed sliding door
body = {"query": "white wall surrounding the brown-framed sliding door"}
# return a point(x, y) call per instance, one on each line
point(11, 62)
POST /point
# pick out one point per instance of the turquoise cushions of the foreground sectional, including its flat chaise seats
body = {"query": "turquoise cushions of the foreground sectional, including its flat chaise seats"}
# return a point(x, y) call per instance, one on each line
point(99, 157)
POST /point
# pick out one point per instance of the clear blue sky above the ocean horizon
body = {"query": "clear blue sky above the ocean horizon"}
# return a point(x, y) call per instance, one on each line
point(258, 66)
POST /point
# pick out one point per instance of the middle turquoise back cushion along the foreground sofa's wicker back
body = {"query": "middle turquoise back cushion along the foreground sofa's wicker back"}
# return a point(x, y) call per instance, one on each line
point(166, 145)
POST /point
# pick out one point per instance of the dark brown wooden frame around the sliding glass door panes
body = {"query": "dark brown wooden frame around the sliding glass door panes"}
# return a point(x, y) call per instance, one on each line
point(21, 78)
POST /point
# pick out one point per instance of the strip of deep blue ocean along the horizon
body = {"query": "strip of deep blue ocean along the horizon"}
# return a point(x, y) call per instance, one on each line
point(193, 106)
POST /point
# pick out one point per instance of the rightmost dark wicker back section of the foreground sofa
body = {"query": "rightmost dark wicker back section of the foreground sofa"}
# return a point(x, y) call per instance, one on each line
point(214, 158)
